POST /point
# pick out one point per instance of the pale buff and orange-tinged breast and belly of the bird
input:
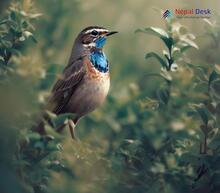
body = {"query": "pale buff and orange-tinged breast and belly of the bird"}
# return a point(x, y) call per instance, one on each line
point(92, 91)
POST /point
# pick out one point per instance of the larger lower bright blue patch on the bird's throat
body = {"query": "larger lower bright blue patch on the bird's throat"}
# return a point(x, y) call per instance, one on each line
point(99, 61)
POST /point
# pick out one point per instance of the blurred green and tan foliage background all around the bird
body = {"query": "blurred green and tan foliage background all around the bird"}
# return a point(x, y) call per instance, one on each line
point(158, 130)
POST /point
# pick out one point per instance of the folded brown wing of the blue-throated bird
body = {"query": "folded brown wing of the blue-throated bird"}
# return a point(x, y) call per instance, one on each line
point(65, 86)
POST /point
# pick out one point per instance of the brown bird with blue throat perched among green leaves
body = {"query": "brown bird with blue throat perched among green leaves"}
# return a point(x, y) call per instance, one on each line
point(84, 82)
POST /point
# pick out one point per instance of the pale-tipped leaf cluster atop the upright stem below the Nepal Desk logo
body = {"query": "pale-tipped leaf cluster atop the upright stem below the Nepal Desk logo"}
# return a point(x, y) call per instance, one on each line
point(177, 41)
